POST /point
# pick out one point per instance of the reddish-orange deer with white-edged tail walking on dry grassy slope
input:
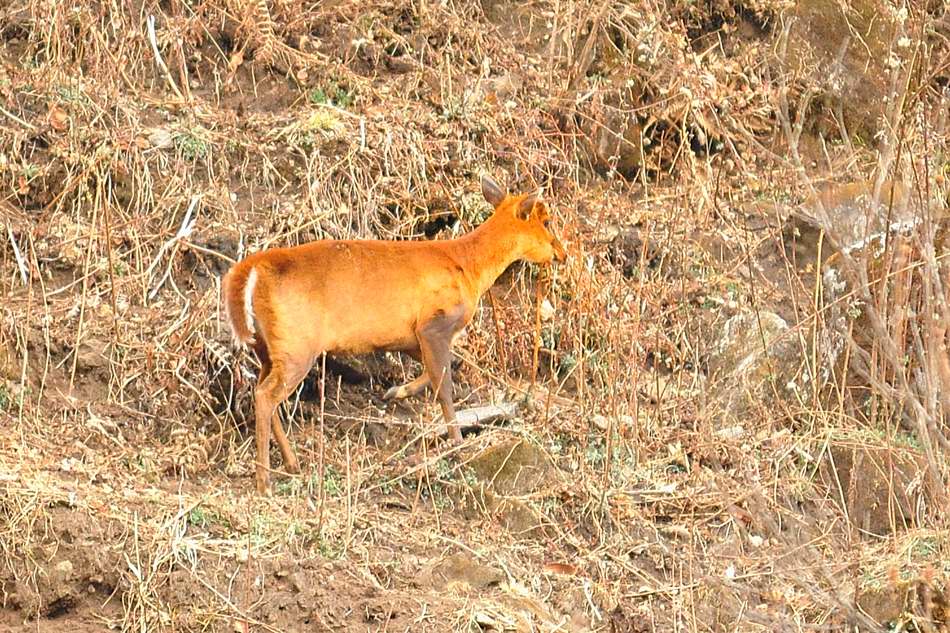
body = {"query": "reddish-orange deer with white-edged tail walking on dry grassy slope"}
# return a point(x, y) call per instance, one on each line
point(293, 305)
